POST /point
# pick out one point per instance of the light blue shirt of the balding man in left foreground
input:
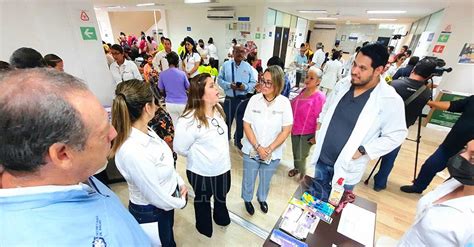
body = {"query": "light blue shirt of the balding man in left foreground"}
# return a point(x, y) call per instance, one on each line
point(82, 216)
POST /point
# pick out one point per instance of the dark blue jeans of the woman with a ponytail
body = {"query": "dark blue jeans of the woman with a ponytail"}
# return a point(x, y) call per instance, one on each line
point(150, 213)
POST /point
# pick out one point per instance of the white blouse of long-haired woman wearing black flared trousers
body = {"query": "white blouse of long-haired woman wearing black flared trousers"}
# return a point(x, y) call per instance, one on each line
point(206, 148)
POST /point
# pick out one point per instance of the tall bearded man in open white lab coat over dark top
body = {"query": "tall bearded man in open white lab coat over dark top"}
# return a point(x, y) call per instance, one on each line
point(363, 118)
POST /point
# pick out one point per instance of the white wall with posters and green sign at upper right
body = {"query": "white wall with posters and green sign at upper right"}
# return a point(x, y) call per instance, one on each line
point(461, 19)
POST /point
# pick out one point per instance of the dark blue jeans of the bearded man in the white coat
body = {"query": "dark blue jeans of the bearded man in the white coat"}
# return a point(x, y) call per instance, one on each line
point(321, 187)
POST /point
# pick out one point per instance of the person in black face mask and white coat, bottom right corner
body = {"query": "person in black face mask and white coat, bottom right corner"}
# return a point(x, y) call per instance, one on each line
point(445, 216)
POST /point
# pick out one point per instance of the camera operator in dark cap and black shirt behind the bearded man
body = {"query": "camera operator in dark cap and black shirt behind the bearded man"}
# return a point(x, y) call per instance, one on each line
point(415, 95)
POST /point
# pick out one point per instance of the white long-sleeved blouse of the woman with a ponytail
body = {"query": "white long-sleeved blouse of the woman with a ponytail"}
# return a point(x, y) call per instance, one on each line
point(146, 162)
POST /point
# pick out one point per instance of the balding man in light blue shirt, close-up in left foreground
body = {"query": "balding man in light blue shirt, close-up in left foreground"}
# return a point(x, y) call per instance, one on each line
point(54, 137)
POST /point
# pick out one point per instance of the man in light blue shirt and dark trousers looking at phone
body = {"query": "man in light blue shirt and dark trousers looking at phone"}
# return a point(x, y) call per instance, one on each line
point(237, 80)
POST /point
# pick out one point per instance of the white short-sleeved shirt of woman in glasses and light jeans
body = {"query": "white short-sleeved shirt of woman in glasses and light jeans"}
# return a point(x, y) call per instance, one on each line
point(267, 122)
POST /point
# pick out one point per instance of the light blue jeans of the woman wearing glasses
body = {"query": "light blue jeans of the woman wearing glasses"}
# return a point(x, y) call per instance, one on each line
point(265, 173)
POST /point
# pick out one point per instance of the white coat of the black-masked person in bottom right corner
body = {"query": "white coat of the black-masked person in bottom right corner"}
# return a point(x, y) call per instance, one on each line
point(449, 223)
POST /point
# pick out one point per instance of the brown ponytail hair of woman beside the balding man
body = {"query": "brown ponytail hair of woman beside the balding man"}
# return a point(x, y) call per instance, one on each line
point(130, 98)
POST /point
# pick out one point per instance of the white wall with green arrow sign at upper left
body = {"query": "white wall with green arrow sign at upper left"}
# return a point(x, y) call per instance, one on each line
point(52, 26)
